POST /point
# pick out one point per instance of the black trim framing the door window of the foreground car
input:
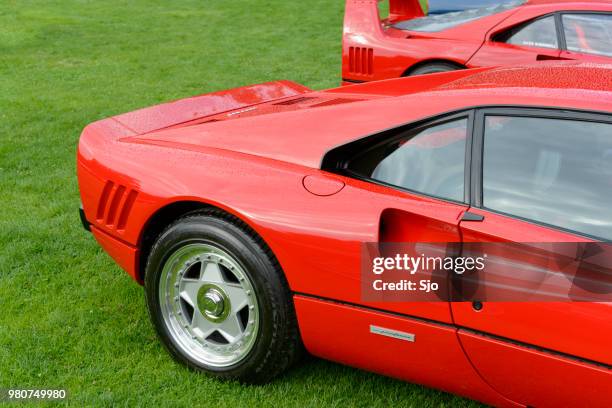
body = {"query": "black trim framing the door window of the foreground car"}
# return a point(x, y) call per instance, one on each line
point(478, 150)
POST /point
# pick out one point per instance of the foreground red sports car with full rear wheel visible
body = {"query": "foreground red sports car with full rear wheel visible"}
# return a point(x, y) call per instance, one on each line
point(244, 214)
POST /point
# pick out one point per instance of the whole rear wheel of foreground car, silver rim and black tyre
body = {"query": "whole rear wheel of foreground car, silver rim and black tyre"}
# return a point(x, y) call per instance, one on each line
point(219, 300)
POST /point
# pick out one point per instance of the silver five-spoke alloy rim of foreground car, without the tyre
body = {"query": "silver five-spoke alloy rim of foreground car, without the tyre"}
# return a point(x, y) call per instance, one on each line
point(209, 304)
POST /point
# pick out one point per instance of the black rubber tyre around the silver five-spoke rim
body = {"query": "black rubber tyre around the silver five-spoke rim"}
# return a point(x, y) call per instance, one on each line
point(256, 264)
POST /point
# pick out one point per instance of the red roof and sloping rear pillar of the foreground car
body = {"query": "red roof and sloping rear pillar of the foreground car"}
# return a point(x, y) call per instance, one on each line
point(303, 137)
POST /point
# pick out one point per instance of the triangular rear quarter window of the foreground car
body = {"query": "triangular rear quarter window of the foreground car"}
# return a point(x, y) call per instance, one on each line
point(429, 161)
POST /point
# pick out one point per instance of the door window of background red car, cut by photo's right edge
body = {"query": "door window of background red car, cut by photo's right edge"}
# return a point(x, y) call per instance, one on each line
point(588, 33)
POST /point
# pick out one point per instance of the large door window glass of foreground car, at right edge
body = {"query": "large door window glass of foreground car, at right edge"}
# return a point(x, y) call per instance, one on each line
point(554, 171)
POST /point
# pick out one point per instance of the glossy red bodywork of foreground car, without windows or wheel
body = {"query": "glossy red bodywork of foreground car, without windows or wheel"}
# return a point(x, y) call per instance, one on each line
point(256, 152)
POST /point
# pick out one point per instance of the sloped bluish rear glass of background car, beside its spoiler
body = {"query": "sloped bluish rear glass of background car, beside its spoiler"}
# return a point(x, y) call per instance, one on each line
point(439, 22)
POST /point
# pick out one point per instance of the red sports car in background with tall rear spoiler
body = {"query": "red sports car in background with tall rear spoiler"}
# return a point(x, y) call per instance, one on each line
point(511, 32)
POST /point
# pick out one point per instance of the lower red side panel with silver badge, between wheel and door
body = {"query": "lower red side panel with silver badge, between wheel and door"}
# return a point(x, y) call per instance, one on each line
point(441, 363)
